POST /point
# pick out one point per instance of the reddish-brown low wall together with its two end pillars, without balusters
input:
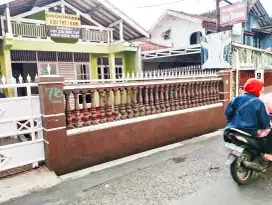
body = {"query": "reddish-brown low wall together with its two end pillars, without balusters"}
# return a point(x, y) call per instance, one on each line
point(67, 153)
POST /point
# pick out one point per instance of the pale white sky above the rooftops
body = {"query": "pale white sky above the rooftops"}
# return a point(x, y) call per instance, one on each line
point(147, 16)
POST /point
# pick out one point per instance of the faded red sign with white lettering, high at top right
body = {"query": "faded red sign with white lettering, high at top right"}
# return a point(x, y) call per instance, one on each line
point(233, 14)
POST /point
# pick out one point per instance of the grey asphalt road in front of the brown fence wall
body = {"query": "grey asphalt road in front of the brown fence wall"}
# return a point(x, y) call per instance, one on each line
point(193, 174)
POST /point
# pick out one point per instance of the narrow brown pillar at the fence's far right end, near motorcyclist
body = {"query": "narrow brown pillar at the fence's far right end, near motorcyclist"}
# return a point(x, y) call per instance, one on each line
point(225, 87)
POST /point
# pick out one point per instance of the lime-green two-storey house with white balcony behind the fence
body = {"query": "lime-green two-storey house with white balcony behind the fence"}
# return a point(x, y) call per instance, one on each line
point(95, 45)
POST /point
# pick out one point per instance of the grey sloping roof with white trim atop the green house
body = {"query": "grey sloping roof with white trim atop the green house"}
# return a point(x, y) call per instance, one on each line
point(101, 11)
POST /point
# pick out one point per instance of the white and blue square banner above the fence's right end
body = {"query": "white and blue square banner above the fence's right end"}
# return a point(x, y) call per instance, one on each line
point(216, 50)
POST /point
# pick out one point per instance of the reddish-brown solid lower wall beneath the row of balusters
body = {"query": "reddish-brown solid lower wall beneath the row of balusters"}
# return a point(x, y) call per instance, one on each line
point(96, 147)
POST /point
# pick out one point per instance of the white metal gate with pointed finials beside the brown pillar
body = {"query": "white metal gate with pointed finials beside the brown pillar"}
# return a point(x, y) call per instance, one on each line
point(21, 136)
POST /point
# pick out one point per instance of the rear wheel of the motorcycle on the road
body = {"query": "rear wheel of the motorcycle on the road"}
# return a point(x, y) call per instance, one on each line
point(239, 173)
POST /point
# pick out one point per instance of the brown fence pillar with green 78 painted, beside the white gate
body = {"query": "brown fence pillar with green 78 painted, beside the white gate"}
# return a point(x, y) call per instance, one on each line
point(53, 119)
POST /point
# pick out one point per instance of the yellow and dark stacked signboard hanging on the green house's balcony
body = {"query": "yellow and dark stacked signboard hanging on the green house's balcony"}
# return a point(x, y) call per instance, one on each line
point(61, 25)
